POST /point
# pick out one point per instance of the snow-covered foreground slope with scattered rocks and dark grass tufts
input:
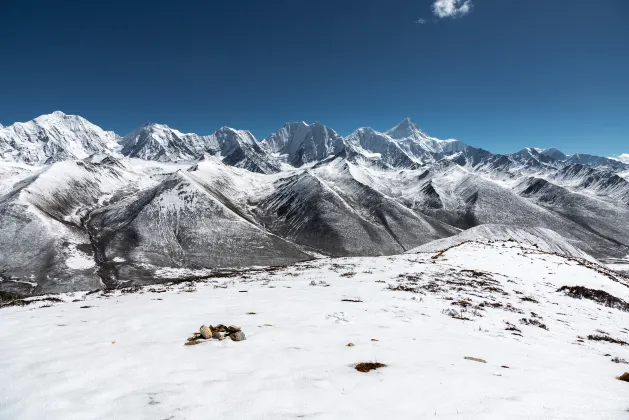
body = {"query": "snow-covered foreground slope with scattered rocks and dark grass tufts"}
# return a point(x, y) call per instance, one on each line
point(123, 357)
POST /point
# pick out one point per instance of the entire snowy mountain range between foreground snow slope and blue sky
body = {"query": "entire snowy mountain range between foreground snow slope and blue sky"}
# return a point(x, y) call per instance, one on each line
point(84, 208)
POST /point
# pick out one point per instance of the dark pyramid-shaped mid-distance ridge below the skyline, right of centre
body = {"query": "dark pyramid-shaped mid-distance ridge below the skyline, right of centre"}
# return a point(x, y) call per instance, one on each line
point(328, 209)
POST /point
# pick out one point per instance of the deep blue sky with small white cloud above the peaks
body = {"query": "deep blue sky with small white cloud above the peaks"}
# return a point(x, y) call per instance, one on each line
point(497, 74)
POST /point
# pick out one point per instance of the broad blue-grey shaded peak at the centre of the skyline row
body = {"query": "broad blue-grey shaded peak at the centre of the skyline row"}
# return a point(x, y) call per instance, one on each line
point(302, 143)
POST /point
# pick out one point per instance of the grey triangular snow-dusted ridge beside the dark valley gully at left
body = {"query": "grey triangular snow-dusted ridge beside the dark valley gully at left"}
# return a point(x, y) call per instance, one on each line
point(179, 224)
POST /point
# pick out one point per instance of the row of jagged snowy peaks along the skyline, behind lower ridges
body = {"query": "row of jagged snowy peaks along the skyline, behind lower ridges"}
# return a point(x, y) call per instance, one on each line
point(58, 136)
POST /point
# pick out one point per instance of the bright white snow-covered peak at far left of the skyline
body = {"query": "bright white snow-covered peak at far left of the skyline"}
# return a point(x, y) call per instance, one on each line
point(54, 137)
